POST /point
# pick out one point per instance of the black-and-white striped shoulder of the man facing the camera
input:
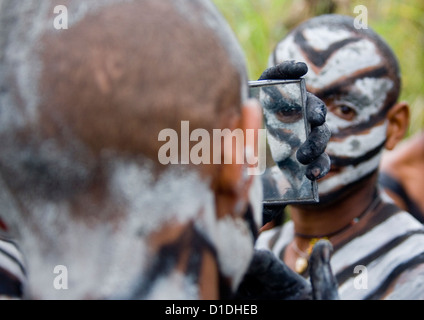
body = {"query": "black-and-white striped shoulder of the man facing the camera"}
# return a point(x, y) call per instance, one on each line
point(386, 251)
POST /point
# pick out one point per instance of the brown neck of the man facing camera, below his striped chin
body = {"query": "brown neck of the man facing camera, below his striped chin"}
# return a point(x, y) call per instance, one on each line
point(332, 218)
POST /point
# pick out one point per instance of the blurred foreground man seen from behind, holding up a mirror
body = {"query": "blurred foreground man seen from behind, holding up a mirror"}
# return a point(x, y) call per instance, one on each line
point(96, 213)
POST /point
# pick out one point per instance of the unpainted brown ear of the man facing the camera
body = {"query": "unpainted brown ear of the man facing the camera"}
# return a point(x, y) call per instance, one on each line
point(398, 117)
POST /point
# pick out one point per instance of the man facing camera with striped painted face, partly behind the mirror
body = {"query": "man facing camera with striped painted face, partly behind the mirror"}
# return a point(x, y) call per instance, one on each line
point(379, 249)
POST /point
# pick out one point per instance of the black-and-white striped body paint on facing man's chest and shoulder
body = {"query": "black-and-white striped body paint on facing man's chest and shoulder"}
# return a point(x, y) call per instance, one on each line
point(386, 250)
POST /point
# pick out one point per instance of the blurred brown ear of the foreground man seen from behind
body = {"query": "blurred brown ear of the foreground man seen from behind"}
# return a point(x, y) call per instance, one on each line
point(232, 191)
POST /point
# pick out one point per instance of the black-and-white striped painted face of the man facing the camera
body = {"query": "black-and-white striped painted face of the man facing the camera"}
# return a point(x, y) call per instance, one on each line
point(348, 72)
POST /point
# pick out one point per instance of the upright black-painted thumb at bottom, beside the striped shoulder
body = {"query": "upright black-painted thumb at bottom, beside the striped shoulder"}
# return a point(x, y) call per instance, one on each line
point(323, 281)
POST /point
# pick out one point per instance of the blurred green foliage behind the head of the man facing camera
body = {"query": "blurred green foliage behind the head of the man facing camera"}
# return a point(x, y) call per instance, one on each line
point(261, 24)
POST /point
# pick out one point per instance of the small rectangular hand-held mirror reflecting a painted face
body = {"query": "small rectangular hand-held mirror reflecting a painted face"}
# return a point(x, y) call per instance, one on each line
point(284, 108)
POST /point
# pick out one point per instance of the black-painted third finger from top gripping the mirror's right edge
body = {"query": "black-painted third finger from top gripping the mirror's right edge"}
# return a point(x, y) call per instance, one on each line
point(315, 145)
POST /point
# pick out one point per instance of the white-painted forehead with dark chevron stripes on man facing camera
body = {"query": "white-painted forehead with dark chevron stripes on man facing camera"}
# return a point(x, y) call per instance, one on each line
point(331, 54)
